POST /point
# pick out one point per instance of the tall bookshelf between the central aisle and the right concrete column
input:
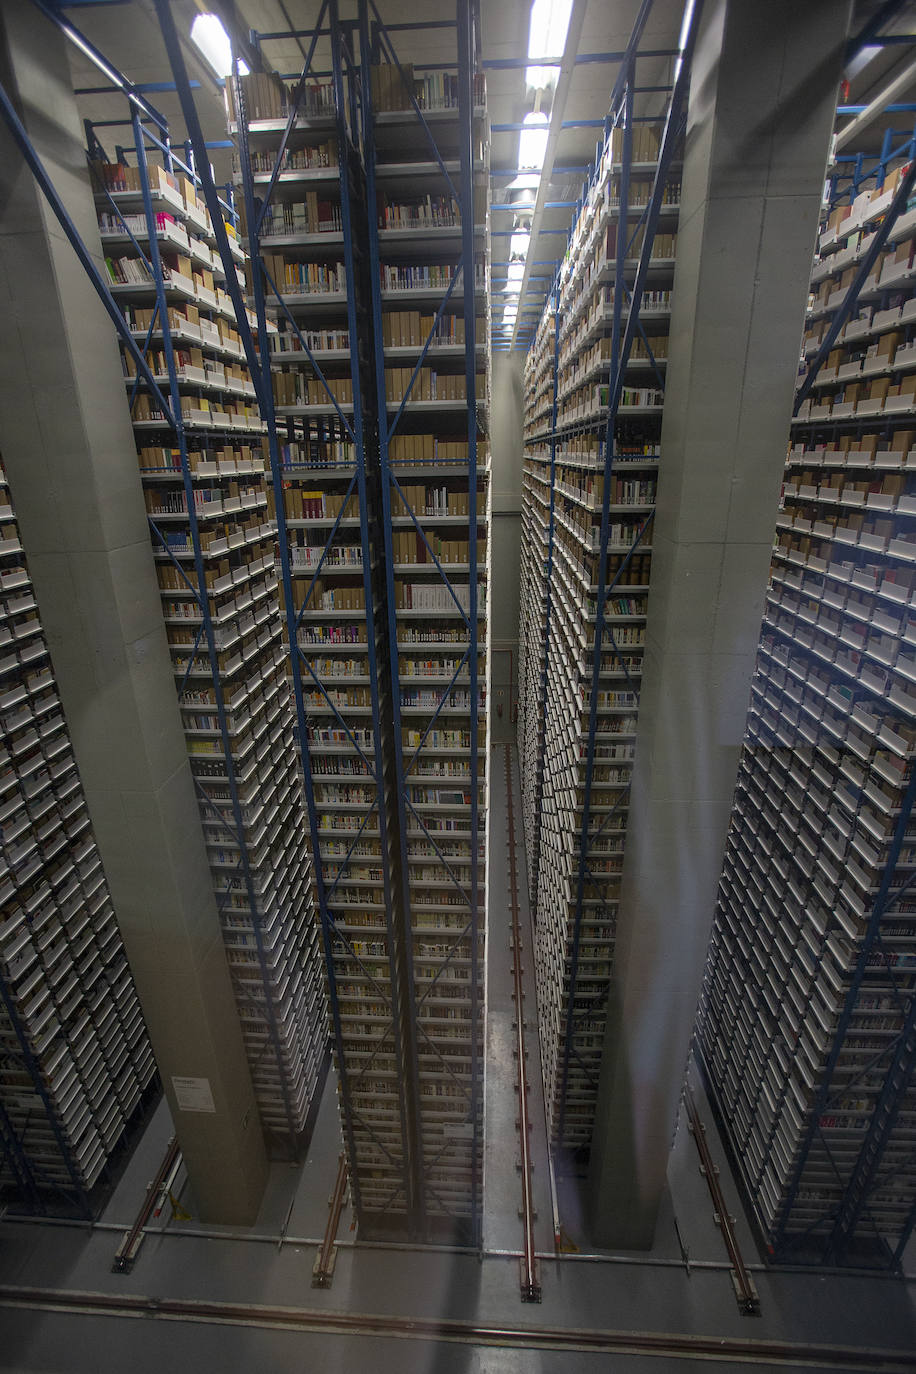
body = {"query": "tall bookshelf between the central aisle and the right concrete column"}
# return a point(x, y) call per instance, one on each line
point(593, 424)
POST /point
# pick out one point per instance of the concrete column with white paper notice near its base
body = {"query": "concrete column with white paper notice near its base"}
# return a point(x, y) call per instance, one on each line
point(69, 451)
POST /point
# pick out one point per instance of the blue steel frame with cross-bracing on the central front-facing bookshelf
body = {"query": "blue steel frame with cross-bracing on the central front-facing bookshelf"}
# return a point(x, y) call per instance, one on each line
point(374, 483)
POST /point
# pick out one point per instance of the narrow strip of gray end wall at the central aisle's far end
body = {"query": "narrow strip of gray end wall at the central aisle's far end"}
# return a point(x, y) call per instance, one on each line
point(507, 392)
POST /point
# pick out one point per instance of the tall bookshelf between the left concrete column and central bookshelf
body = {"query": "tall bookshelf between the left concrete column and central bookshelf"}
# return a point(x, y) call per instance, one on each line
point(260, 869)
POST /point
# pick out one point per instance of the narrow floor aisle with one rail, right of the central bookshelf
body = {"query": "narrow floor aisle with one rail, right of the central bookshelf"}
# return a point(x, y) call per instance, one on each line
point(502, 1181)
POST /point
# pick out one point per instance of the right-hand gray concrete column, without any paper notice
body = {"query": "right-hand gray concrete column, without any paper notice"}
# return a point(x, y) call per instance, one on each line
point(762, 108)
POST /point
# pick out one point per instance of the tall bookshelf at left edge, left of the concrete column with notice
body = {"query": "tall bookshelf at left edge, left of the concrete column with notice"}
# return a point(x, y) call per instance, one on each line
point(76, 1057)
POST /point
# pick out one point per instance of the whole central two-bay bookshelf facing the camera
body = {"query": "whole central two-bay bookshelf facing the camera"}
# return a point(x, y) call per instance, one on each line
point(382, 509)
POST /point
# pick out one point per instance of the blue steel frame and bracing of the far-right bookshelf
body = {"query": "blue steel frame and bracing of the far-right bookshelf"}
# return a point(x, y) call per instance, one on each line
point(866, 1177)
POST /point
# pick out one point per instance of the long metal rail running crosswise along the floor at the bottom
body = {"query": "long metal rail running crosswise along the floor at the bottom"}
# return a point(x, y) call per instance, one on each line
point(716, 1350)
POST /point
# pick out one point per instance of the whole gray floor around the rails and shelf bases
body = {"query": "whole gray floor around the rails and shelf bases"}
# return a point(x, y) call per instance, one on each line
point(271, 1266)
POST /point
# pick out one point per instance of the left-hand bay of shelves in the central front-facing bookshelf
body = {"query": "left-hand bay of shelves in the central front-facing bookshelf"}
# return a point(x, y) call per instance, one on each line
point(336, 559)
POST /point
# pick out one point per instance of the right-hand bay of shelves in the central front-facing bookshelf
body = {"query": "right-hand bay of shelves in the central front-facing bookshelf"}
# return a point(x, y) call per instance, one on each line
point(421, 248)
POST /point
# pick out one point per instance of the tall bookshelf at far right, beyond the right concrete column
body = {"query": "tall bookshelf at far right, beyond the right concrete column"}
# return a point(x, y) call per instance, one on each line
point(808, 1017)
